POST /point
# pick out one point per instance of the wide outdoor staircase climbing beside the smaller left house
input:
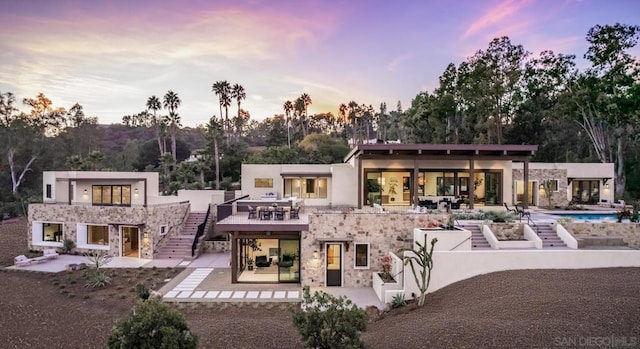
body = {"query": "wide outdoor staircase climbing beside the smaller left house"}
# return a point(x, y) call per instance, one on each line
point(179, 246)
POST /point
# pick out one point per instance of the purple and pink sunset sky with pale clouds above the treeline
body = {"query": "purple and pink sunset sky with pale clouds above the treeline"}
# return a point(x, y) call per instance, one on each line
point(111, 56)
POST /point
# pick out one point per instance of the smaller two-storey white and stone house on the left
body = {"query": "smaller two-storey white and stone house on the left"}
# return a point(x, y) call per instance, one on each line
point(120, 213)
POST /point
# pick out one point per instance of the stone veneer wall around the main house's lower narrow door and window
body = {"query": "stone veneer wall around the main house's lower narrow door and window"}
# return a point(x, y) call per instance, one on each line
point(385, 232)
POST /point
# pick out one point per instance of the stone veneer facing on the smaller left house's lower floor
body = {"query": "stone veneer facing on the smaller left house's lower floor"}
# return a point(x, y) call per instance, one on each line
point(71, 215)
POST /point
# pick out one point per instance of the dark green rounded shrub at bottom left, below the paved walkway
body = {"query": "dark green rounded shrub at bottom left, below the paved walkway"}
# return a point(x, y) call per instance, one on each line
point(152, 325)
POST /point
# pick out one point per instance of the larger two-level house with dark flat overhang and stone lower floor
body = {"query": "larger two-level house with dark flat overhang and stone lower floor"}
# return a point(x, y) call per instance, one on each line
point(337, 241)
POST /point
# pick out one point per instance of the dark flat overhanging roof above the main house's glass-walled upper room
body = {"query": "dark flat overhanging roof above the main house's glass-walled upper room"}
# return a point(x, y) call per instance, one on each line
point(506, 151)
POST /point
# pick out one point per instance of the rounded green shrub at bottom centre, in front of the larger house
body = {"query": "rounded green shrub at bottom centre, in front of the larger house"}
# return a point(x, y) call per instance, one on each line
point(325, 321)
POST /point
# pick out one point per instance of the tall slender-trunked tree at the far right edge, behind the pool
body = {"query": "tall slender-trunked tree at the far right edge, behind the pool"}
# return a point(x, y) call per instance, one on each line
point(608, 94)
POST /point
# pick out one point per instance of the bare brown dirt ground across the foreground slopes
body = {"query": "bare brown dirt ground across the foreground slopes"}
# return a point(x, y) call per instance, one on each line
point(516, 309)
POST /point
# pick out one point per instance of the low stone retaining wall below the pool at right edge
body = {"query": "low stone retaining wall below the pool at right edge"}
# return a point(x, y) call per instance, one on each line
point(629, 232)
